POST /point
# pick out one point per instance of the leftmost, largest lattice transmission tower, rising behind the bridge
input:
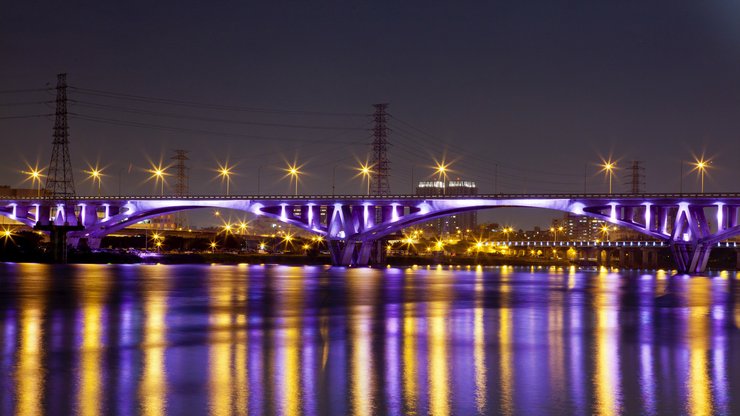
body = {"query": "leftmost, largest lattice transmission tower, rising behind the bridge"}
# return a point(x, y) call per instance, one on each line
point(60, 181)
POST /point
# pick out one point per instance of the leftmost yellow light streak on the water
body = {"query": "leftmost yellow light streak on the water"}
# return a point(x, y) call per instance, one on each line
point(29, 374)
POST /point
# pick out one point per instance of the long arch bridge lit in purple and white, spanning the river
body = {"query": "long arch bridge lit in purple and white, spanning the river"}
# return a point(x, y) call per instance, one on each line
point(354, 226)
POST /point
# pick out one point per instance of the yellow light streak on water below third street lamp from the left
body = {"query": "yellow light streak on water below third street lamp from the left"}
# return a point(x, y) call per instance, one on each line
point(153, 386)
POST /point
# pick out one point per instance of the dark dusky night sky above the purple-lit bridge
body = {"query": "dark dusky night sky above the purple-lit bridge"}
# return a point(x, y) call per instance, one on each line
point(541, 89)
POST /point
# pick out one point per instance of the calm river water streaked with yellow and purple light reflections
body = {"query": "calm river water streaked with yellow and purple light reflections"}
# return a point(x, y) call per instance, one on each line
point(107, 339)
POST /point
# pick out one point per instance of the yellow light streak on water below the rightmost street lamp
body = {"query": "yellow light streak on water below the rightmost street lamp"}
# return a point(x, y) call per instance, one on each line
point(698, 333)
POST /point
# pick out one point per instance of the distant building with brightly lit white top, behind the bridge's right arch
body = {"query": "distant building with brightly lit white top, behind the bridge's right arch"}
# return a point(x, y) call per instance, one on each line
point(457, 224)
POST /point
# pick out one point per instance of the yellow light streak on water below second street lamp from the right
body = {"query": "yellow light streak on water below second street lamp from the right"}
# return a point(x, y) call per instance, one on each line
point(607, 383)
